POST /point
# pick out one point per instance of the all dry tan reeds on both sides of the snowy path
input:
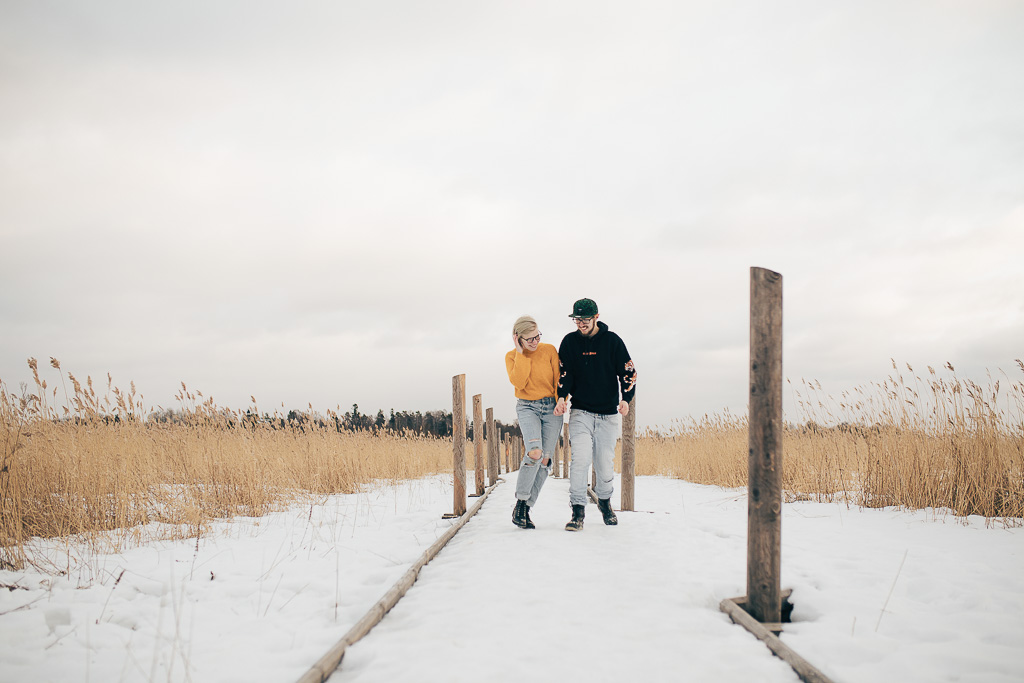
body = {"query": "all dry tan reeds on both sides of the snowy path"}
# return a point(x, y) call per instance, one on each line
point(92, 464)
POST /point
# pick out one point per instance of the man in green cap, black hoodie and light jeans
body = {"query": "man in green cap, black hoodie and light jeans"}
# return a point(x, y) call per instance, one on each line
point(600, 376)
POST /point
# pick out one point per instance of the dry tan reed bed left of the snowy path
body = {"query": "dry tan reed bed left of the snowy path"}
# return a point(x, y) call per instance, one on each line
point(100, 467)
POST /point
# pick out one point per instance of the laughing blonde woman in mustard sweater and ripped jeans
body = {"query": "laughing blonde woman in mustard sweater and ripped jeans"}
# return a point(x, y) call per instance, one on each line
point(534, 371)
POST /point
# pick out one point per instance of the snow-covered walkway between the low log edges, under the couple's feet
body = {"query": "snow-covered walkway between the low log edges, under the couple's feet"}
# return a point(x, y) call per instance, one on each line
point(549, 606)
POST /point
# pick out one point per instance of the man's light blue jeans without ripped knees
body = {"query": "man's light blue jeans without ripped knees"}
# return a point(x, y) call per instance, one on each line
point(593, 440)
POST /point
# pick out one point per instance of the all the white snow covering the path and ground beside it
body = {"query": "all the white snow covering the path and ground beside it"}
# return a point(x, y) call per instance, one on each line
point(880, 595)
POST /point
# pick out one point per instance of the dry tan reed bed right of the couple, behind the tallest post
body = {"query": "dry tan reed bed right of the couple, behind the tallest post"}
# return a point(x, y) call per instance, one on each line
point(915, 443)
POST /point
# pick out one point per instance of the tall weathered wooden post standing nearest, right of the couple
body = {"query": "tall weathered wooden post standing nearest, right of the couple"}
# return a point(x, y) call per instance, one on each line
point(764, 507)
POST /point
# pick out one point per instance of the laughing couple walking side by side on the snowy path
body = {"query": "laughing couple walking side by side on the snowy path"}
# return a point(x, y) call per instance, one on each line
point(593, 368)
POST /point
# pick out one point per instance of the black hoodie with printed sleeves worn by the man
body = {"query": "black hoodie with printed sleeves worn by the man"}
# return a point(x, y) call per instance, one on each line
point(594, 369)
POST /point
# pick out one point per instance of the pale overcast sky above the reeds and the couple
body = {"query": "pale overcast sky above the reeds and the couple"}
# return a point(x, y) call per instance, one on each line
point(340, 203)
